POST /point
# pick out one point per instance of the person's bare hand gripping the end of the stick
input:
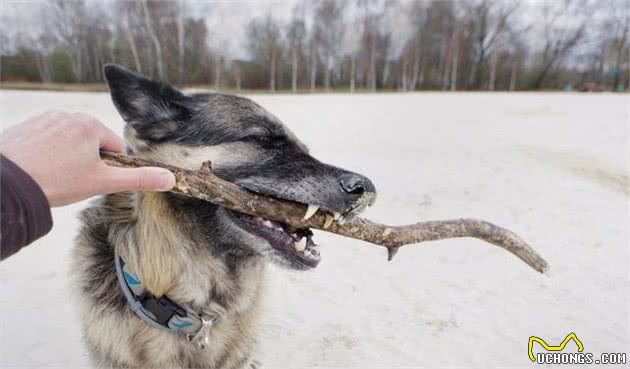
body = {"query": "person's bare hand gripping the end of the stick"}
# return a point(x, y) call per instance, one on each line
point(60, 151)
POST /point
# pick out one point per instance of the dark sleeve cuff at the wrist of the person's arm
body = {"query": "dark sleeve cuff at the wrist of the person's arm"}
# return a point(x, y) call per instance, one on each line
point(25, 214)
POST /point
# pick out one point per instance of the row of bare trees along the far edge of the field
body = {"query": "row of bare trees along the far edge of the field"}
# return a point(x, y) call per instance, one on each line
point(334, 45)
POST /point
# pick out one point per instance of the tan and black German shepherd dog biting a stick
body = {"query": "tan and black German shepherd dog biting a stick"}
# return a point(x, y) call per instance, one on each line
point(190, 253)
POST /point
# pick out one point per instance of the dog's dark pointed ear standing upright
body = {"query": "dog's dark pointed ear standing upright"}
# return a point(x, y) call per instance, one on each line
point(153, 109)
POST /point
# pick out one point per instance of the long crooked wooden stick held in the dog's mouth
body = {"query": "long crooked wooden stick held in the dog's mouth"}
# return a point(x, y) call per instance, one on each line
point(204, 185)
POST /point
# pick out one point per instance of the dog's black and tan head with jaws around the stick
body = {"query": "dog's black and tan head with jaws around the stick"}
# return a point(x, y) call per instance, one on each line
point(246, 145)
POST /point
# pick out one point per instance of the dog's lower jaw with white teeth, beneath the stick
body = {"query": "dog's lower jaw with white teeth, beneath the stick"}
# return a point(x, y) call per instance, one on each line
point(295, 244)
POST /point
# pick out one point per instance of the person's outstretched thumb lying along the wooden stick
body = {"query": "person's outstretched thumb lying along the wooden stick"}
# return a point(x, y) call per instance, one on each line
point(137, 179)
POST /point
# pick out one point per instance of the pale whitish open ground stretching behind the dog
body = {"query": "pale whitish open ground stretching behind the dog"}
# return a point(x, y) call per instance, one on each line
point(552, 167)
